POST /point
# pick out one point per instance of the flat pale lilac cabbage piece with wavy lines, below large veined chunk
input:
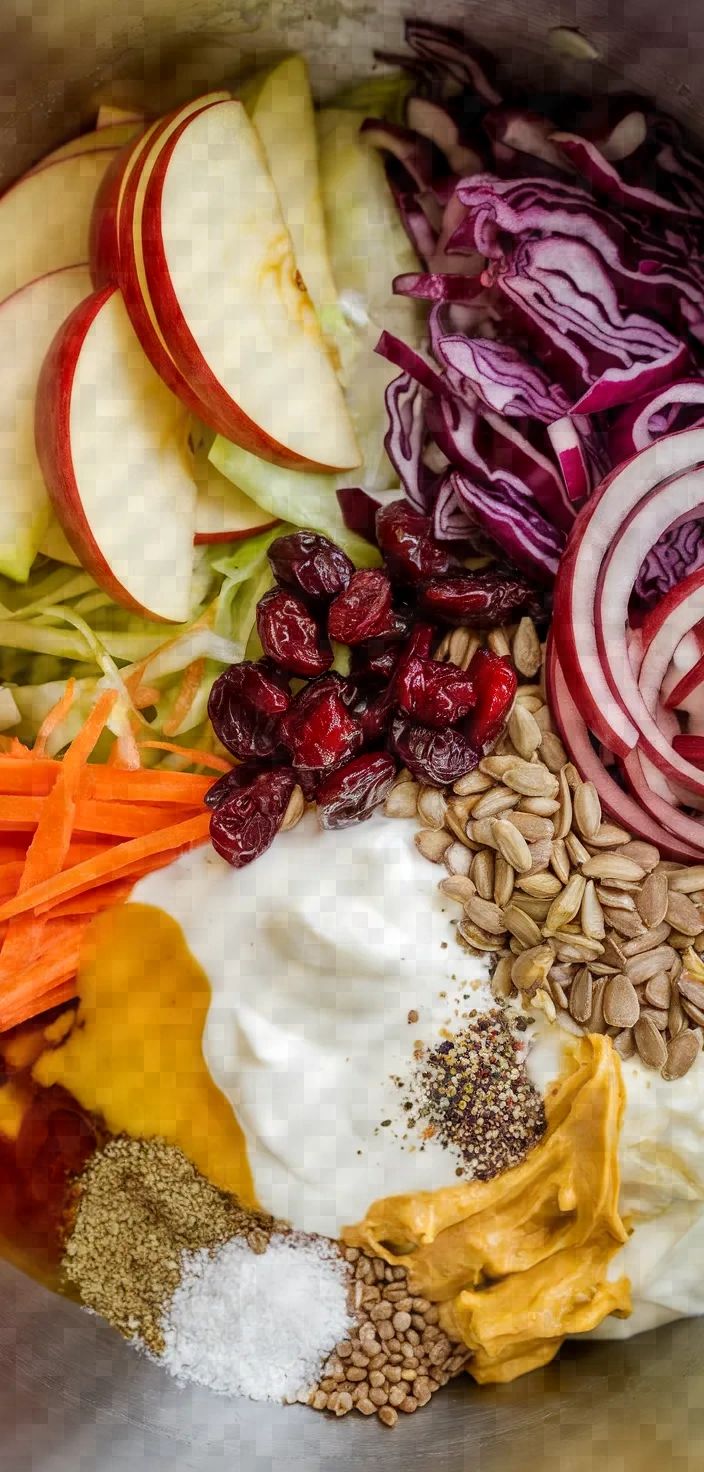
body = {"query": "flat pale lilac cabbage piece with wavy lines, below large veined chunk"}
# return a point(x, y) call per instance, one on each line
point(503, 379)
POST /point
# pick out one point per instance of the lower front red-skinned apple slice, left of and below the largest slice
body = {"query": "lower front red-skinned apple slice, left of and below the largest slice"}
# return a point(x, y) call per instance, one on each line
point(113, 445)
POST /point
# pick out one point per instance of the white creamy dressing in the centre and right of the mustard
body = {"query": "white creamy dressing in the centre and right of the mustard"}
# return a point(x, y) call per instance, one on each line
point(316, 956)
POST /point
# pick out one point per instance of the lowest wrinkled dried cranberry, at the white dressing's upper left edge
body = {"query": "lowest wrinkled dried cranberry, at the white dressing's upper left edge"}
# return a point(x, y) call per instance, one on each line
point(247, 825)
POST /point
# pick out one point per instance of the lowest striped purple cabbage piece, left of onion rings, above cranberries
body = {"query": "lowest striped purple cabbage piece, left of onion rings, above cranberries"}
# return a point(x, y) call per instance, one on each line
point(516, 526)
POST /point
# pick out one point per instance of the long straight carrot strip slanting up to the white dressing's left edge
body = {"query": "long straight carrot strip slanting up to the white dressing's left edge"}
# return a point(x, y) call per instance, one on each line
point(113, 863)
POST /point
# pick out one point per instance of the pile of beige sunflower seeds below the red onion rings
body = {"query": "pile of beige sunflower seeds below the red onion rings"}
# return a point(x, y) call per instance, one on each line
point(578, 918)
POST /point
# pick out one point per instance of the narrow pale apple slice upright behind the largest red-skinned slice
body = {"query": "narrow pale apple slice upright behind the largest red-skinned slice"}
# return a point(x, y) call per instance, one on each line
point(281, 105)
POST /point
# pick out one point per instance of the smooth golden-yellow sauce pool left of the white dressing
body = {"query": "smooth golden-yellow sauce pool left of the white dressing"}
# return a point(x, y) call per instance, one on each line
point(136, 1053)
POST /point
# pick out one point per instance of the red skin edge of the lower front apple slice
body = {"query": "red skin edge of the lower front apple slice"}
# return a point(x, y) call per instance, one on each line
point(52, 419)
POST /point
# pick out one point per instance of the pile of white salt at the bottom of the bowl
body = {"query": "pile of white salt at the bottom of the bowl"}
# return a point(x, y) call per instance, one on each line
point(258, 1324)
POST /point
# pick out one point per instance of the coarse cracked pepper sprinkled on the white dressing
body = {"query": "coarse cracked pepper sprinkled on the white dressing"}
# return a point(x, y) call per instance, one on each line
point(474, 1094)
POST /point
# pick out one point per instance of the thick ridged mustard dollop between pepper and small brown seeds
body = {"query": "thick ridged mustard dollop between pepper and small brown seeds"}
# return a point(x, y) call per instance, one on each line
point(521, 1262)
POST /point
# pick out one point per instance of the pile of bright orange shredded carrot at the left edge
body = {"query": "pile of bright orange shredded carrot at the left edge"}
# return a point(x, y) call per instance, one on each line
point(76, 838)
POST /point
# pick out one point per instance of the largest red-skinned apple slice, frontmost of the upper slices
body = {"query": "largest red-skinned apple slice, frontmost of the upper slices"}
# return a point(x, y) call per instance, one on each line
point(230, 302)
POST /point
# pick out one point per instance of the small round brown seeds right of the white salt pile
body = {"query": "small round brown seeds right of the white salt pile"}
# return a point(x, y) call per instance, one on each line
point(398, 1356)
